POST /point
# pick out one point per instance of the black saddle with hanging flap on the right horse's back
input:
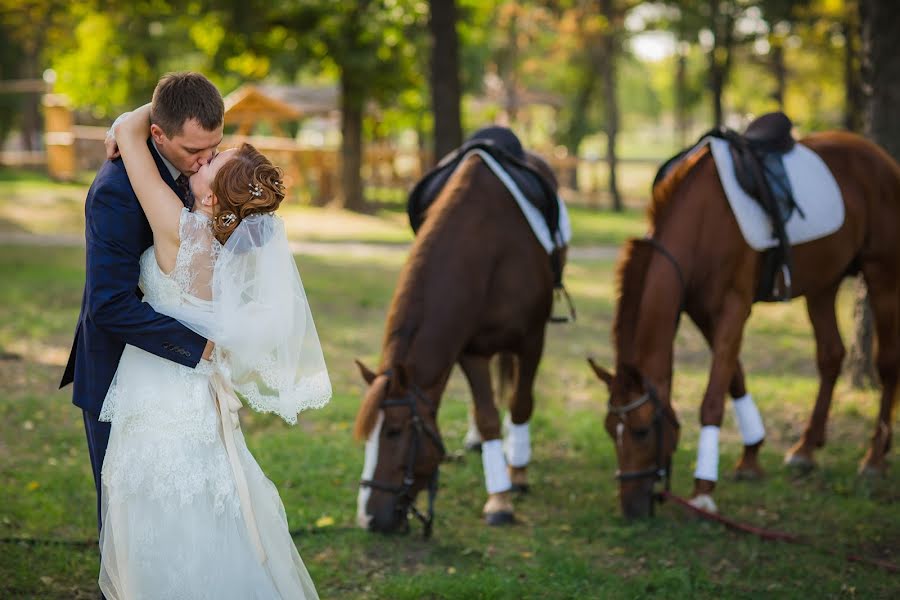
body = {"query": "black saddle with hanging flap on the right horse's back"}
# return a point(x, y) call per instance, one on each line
point(759, 168)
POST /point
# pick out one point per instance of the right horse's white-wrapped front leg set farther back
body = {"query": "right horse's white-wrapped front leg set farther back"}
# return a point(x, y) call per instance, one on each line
point(746, 414)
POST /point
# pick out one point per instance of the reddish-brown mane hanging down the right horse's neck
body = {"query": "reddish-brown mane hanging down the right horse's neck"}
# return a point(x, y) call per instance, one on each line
point(630, 276)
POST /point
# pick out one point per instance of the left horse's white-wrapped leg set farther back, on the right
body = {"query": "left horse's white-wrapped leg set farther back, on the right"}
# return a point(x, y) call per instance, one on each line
point(521, 406)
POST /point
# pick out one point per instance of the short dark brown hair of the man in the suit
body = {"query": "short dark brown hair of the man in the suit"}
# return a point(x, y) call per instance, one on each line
point(180, 97)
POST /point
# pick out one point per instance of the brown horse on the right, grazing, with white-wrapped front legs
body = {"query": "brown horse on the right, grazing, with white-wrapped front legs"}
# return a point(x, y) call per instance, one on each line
point(696, 260)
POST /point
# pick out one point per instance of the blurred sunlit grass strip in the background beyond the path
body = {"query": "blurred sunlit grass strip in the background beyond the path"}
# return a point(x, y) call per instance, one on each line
point(31, 203)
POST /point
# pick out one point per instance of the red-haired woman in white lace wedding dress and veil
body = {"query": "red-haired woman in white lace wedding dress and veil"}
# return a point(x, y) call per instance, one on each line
point(187, 512)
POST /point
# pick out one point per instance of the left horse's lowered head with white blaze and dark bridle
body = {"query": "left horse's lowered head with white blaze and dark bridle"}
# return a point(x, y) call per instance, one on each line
point(403, 451)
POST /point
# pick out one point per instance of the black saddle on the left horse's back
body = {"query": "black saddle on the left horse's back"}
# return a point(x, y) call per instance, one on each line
point(503, 145)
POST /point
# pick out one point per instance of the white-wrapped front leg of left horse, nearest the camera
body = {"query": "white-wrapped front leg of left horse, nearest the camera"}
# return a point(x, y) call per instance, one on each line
point(498, 510)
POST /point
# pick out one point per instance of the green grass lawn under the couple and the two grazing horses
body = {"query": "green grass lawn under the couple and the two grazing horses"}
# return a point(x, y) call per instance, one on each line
point(570, 541)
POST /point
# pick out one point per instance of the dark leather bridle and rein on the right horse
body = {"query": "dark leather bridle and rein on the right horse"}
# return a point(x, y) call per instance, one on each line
point(662, 470)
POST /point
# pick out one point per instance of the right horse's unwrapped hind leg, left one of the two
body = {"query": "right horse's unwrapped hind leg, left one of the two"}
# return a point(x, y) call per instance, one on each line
point(829, 357)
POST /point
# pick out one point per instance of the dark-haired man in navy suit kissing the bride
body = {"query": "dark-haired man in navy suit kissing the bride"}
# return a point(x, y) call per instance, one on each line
point(187, 118)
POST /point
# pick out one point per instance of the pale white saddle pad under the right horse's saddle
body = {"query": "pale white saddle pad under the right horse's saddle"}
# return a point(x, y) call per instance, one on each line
point(815, 192)
